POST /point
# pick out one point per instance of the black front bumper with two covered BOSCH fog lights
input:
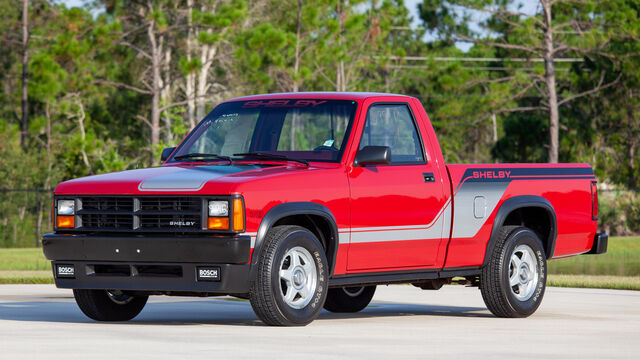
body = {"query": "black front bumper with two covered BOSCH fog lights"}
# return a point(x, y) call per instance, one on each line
point(150, 263)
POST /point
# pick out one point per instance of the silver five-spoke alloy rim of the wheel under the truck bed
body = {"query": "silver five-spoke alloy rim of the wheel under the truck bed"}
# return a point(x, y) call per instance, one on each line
point(523, 272)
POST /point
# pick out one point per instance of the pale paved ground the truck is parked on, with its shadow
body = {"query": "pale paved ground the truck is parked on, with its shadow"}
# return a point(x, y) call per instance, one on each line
point(42, 322)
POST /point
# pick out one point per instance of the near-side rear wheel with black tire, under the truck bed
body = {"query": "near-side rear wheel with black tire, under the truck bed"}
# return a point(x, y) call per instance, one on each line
point(514, 280)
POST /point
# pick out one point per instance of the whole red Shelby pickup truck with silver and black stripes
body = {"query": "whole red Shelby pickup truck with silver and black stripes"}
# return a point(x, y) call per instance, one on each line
point(309, 200)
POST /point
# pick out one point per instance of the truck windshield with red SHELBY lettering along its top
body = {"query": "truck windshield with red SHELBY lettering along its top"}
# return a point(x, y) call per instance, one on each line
point(304, 129)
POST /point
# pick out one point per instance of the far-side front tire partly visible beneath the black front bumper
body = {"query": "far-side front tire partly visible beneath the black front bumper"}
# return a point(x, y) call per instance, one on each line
point(113, 305)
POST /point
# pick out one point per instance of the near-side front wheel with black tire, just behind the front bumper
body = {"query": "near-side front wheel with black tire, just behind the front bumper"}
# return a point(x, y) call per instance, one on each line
point(291, 282)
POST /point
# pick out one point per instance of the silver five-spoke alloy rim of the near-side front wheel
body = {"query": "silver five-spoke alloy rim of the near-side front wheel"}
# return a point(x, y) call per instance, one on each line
point(298, 277)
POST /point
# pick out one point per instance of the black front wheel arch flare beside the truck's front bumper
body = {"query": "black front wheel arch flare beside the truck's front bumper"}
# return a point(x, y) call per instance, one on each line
point(317, 218)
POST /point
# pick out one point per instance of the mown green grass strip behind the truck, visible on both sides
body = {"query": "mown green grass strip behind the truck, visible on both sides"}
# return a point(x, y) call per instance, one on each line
point(619, 268)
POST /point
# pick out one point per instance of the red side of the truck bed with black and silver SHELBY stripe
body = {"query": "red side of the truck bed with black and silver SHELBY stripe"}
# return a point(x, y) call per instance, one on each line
point(479, 190)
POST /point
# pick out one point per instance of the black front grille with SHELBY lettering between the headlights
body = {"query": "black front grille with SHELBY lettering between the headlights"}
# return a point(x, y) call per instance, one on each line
point(141, 214)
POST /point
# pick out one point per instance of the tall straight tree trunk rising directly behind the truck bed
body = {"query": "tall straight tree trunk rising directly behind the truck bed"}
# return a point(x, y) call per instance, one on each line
point(550, 82)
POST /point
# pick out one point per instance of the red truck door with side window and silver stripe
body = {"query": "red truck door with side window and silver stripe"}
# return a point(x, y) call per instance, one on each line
point(396, 209)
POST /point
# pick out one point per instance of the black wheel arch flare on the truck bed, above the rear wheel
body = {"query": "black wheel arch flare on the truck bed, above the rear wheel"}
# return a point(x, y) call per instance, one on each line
point(526, 210)
